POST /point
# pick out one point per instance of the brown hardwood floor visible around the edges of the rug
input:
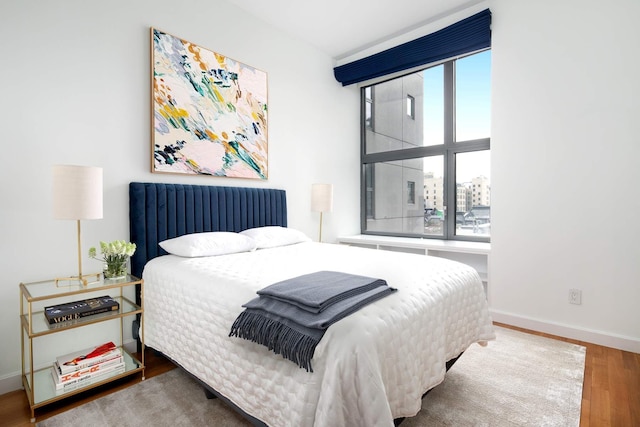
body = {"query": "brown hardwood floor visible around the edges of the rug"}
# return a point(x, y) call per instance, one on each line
point(610, 395)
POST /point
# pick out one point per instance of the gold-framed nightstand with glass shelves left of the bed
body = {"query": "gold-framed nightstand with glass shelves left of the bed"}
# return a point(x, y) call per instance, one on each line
point(38, 381)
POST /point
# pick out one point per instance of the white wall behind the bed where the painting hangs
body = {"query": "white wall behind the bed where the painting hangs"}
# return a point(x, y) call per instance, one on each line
point(75, 85)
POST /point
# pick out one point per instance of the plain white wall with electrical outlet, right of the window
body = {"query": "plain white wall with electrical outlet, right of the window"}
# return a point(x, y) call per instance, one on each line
point(565, 171)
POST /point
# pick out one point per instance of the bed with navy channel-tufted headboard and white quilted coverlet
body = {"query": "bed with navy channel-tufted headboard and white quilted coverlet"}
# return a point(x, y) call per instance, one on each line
point(369, 369)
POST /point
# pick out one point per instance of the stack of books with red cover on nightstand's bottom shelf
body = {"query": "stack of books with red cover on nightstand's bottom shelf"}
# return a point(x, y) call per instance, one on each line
point(76, 369)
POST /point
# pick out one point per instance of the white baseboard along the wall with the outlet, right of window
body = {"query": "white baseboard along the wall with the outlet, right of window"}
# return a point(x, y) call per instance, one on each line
point(566, 331)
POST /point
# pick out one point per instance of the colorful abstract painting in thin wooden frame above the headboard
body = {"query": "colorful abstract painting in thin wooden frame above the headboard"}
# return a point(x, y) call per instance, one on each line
point(209, 112)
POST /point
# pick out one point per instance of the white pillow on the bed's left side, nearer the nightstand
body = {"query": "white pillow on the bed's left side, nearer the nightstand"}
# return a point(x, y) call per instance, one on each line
point(208, 244)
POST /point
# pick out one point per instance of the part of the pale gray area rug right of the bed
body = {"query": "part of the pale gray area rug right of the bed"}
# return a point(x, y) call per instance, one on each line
point(517, 380)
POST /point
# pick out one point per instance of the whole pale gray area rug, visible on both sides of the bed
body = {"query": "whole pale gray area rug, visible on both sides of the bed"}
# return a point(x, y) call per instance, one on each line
point(517, 380)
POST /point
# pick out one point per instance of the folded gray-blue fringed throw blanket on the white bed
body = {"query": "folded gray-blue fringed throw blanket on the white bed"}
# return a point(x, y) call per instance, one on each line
point(290, 317)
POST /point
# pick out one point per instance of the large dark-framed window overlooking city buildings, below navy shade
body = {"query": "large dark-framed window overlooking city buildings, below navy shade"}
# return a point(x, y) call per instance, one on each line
point(431, 138)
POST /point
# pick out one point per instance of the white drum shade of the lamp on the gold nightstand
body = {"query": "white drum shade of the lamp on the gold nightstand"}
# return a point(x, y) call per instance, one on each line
point(77, 192)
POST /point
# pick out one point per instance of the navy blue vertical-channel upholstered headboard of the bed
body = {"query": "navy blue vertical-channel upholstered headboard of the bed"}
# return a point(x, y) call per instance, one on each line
point(163, 211)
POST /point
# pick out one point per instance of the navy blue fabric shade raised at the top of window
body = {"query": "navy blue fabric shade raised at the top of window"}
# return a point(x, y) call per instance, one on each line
point(469, 35)
